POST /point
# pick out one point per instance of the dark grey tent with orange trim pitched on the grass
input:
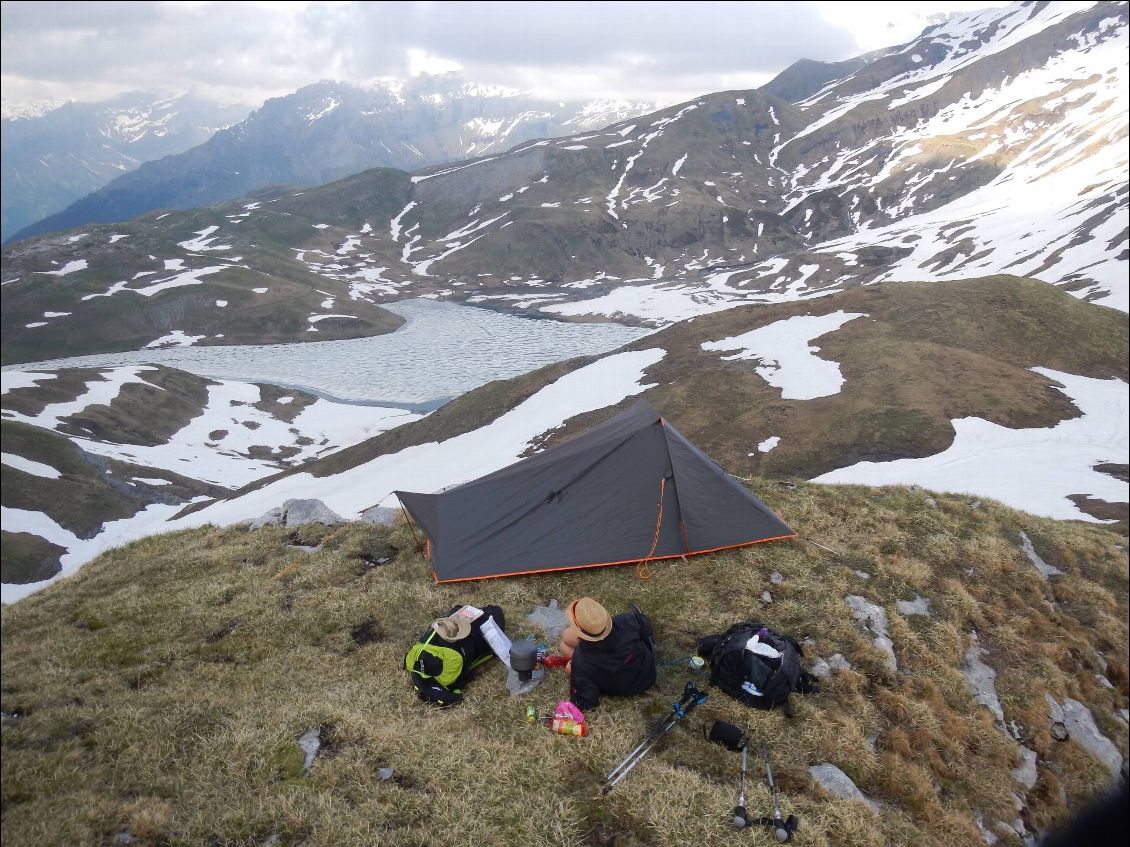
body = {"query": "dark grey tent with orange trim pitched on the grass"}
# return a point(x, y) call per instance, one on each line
point(630, 490)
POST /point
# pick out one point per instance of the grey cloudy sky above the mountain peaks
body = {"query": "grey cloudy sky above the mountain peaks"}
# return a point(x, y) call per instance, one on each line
point(245, 53)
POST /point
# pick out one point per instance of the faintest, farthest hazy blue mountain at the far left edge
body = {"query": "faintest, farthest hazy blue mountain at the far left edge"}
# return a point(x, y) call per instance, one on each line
point(57, 153)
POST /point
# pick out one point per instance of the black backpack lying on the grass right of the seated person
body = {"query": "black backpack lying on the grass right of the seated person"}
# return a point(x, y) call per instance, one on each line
point(757, 680)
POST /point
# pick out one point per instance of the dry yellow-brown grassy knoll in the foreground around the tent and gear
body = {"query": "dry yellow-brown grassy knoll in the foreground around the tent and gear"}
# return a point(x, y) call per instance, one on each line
point(162, 691)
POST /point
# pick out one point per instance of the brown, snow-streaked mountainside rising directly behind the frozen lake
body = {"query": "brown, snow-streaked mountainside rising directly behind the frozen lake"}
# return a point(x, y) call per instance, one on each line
point(993, 144)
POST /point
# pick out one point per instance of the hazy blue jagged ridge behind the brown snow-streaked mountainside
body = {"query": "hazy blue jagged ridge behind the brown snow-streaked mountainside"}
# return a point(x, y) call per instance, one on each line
point(327, 132)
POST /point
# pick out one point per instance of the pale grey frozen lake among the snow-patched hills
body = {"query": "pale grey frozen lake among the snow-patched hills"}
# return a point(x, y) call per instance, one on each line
point(442, 352)
